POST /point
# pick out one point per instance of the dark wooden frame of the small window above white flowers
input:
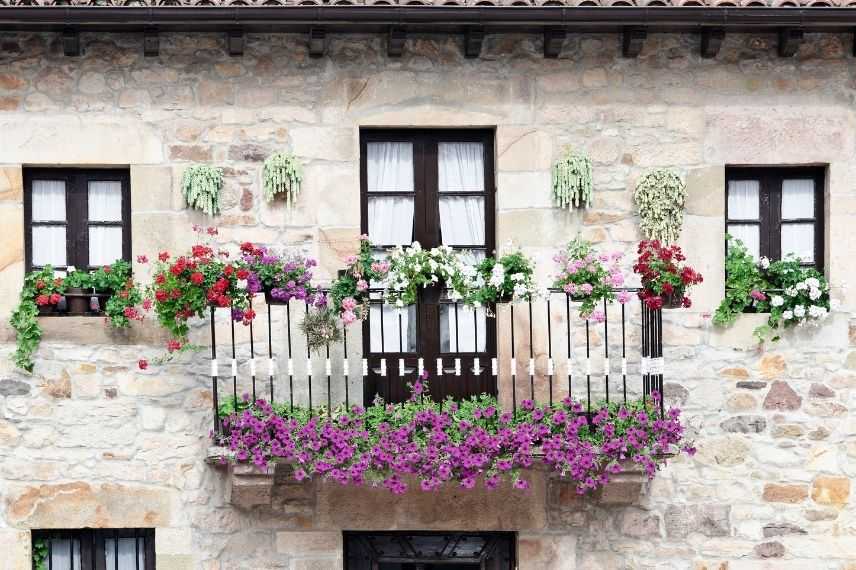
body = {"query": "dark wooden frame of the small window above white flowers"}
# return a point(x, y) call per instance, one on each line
point(770, 212)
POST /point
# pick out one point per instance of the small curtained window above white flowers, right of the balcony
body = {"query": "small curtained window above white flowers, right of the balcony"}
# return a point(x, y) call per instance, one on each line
point(777, 211)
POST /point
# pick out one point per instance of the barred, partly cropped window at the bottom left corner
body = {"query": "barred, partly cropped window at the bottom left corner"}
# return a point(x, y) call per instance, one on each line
point(103, 549)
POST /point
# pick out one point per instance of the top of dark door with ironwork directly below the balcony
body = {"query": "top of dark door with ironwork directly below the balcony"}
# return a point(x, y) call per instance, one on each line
point(429, 551)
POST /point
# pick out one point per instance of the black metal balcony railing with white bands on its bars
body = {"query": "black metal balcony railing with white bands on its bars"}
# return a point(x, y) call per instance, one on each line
point(539, 350)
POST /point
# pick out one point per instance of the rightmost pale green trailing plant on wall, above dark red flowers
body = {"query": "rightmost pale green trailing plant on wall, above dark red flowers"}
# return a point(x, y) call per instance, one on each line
point(660, 196)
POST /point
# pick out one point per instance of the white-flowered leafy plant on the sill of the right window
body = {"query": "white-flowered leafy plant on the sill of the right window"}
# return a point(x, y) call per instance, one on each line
point(794, 295)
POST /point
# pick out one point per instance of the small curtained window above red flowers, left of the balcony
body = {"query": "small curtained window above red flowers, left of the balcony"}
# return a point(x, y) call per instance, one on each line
point(78, 218)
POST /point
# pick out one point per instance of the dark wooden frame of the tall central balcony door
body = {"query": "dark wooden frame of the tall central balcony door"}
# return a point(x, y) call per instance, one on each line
point(427, 231)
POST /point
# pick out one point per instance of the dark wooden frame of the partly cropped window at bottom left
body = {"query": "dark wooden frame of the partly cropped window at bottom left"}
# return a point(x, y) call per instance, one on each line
point(93, 548)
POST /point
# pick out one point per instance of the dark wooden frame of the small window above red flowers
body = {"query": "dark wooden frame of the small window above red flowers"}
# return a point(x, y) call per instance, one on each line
point(76, 210)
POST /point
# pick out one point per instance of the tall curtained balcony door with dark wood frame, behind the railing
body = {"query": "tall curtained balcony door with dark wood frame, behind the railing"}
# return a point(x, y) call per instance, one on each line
point(435, 187)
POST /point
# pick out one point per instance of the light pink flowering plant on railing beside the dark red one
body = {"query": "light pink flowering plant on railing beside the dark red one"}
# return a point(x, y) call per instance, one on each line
point(589, 277)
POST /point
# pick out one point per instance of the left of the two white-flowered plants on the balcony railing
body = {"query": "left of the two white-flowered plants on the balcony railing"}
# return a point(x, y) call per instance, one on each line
point(413, 267)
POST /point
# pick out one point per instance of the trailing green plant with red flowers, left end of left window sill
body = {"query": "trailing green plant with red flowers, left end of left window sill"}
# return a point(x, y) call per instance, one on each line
point(41, 289)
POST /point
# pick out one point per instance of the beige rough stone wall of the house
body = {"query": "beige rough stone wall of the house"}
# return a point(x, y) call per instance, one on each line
point(88, 440)
